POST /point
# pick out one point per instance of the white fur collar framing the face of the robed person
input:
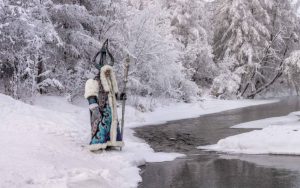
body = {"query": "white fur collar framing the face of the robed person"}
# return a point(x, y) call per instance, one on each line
point(105, 80)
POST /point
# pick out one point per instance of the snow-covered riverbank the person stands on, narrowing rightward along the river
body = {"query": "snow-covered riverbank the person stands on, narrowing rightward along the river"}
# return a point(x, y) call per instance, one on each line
point(42, 145)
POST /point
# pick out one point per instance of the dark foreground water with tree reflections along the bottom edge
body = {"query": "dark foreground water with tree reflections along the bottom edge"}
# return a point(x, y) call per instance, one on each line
point(207, 171)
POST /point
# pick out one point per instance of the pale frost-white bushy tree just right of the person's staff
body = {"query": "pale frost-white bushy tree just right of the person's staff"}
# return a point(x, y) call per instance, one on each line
point(156, 72)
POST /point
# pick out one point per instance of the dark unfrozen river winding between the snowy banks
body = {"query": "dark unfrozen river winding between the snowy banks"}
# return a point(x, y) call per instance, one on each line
point(215, 170)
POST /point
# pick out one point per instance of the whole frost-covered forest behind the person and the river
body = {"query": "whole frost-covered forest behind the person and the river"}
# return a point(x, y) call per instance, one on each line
point(180, 50)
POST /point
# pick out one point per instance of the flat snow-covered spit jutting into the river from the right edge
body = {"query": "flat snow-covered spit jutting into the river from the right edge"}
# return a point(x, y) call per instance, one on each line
point(278, 135)
